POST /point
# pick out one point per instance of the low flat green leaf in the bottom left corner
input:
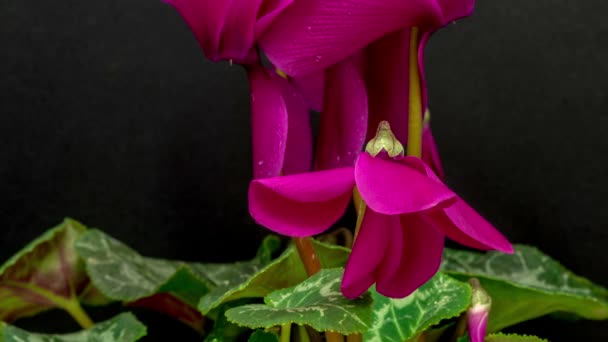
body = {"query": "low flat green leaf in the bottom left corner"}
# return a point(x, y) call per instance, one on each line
point(122, 328)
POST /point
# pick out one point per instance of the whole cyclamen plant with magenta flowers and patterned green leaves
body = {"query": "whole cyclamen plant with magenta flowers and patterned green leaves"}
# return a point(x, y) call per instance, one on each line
point(359, 63)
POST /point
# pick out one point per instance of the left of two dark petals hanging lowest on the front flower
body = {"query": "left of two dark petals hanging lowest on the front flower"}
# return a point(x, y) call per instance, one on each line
point(369, 250)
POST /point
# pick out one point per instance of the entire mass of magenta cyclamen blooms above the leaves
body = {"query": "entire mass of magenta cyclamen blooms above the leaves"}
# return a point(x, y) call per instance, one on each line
point(360, 63)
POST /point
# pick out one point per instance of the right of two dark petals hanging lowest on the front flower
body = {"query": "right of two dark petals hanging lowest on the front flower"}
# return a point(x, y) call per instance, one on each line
point(419, 260)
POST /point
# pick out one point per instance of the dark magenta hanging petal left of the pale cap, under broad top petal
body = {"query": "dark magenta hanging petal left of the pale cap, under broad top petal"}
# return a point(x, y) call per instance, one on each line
point(344, 120)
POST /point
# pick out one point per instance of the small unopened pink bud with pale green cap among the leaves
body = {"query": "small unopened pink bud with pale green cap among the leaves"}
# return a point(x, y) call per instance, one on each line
point(477, 316)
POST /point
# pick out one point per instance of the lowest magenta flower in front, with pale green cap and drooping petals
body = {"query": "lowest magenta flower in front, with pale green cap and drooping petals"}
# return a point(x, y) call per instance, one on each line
point(409, 211)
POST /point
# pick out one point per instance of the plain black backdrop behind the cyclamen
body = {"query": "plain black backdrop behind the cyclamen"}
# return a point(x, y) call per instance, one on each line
point(110, 114)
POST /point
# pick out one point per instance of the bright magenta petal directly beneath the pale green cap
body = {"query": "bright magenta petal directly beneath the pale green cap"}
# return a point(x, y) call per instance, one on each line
point(393, 187)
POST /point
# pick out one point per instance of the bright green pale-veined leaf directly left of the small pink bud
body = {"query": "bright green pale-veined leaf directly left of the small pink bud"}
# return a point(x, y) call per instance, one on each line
point(402, 319)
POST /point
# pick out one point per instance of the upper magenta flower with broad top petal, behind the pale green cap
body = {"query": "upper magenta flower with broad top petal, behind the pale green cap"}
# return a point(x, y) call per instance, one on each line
point(364, 50)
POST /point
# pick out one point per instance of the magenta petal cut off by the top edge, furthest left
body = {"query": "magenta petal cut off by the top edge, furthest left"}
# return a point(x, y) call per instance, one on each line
point(224, 29)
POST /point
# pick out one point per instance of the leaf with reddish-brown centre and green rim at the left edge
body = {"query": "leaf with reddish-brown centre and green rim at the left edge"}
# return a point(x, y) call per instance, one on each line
point(45, 274)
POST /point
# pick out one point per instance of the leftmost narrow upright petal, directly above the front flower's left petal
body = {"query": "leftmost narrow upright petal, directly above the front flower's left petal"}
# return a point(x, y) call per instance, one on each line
point(269, 122)
